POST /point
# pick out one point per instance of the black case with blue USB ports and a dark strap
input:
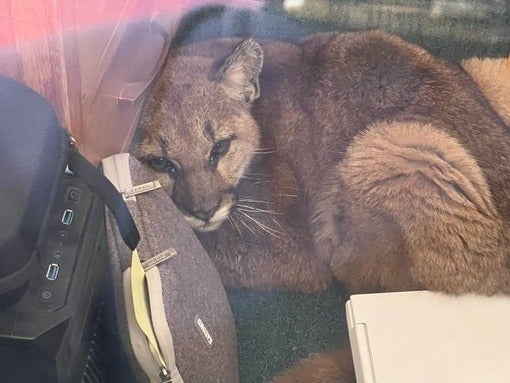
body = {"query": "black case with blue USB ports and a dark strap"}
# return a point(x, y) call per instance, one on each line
point(52, 243)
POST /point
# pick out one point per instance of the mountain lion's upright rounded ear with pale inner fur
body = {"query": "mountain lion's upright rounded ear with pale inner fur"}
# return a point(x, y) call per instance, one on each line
point(239, 74)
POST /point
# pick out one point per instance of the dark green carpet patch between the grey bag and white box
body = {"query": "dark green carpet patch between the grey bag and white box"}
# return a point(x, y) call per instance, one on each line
point(276, 329)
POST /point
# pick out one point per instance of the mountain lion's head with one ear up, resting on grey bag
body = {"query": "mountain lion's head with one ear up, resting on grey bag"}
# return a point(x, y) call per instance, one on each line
point(196, 130)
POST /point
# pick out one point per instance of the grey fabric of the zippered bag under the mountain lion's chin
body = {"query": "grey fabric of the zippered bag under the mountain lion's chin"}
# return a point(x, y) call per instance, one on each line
point(191, 287)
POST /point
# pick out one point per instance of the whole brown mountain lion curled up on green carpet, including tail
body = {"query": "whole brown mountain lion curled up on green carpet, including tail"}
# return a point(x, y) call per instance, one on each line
point(354, 156)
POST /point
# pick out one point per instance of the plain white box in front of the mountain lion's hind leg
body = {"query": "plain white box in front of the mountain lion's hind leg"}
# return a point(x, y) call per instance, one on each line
point(426, 337)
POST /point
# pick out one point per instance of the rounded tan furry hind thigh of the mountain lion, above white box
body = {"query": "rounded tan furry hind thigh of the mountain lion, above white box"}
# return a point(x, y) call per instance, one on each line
point(416, 165)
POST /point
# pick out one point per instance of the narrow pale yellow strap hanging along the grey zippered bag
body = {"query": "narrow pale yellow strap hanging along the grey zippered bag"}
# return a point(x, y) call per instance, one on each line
point(141, 304)
